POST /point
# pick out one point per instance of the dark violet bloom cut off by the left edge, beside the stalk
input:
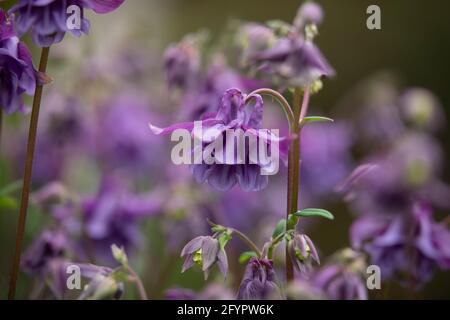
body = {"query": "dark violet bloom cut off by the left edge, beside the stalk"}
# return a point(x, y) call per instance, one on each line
point(17, 75)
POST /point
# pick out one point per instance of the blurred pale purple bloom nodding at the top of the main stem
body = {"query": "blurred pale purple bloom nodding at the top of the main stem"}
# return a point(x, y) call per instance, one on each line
point(294, 61)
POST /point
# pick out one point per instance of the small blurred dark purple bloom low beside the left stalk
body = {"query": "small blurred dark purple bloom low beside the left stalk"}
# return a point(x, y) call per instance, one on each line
point(51, 244)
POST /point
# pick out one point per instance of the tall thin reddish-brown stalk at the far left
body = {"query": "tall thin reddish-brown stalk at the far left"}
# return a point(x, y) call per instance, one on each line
point(27, 176)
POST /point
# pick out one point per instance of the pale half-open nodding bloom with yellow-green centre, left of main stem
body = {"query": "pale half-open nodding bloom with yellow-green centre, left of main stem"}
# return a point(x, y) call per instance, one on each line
point(205, 251)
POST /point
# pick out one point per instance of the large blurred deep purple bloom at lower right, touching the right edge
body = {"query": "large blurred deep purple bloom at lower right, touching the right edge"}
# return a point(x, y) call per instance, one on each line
point(407, 247)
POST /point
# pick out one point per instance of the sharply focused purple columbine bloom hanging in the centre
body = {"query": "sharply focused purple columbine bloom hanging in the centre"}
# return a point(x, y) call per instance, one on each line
point(234, 113)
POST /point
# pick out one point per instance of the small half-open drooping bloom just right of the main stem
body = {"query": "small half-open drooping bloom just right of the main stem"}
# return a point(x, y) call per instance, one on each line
point(303, 253)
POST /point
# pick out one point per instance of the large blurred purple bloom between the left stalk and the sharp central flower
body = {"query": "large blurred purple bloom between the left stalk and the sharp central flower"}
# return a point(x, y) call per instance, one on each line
point(111, 216)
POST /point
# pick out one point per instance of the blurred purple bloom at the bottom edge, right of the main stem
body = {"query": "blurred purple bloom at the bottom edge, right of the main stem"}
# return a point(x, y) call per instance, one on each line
point(340, 283)
